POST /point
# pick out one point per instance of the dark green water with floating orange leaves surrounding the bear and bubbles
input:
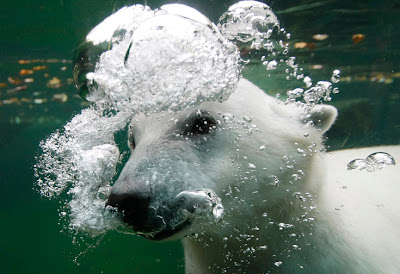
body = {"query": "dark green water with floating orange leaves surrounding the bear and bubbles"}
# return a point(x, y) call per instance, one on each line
point(362, 42)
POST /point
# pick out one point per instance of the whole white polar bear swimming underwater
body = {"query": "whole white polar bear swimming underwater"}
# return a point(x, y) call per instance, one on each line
point(244, 185)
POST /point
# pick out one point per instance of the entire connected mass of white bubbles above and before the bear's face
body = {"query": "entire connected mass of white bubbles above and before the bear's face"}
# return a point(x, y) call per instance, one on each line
point(144, 60)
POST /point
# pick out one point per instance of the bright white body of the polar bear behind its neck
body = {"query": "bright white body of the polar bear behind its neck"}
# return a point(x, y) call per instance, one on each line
point(364, 206)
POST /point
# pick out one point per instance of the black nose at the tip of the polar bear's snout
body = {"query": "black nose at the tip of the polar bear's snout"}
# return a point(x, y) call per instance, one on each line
point(135, 209)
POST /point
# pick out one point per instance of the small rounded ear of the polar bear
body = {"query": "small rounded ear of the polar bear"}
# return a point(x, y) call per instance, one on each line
point(323, 116)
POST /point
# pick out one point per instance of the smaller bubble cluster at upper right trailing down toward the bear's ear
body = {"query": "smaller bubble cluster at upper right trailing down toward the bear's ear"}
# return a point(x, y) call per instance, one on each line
point(253, 26)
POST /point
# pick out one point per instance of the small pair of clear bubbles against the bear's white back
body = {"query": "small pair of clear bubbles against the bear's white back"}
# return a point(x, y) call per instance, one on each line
point(374, 161)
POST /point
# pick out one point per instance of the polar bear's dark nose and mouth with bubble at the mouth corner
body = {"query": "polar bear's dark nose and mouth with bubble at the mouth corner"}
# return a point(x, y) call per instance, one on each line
point(158, 221)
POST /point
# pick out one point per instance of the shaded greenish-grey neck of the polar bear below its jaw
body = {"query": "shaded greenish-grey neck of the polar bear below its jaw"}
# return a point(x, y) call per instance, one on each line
point(290, 241)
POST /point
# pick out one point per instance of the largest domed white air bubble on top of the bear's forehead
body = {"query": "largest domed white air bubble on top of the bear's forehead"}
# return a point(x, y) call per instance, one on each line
point(165, 59)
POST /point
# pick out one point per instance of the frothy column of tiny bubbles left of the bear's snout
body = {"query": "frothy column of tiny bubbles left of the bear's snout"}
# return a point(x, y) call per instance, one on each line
point(82, 161)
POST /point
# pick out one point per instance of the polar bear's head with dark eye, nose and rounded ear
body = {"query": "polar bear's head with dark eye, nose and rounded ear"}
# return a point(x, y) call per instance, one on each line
point(219, 164)
